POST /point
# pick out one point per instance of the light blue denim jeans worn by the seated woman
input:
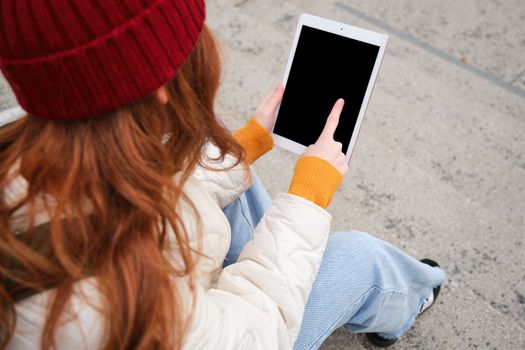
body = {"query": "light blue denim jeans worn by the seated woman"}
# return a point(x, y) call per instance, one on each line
point(363, 284)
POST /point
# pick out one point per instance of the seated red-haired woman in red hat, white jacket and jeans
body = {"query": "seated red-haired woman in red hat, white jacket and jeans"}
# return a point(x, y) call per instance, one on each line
point(112, 234)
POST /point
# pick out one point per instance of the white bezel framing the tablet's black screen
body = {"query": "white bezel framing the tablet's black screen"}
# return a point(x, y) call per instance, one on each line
point(348, 31)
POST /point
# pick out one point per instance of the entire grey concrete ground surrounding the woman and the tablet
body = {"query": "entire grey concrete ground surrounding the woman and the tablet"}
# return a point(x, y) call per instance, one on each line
point(439, 167)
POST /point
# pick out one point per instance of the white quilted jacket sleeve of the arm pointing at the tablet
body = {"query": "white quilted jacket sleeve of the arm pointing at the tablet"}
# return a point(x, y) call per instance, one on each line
point(260, 300)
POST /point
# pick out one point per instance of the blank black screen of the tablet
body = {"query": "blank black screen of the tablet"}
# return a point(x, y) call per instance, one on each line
point(325, 67)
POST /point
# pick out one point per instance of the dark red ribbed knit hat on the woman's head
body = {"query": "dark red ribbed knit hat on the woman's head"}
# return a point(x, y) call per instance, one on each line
point(68, 59)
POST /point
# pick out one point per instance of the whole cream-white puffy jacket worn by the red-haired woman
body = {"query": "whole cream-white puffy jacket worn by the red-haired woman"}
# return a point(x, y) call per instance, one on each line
point(256, 303)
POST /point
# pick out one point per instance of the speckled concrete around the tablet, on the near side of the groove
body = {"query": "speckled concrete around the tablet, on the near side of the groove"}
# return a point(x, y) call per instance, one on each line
point(405, 184)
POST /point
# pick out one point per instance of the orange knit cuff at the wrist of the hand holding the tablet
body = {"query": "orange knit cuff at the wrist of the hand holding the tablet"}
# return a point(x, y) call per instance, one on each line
point(255, 140)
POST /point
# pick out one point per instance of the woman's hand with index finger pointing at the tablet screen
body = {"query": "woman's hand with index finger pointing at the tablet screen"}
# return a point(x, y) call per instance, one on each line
point(326, 147)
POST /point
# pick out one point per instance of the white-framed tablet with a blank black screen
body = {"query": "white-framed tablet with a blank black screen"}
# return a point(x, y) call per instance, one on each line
point(328, 60)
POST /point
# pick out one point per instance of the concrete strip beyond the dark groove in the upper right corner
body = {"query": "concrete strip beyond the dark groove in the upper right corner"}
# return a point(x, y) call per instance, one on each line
point(485, 36)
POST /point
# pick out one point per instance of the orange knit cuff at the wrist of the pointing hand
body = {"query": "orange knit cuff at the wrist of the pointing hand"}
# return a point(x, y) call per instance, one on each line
point(316, 180)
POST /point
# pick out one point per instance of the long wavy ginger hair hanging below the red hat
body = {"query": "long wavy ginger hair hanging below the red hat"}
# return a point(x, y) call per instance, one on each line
point(123, 167)
